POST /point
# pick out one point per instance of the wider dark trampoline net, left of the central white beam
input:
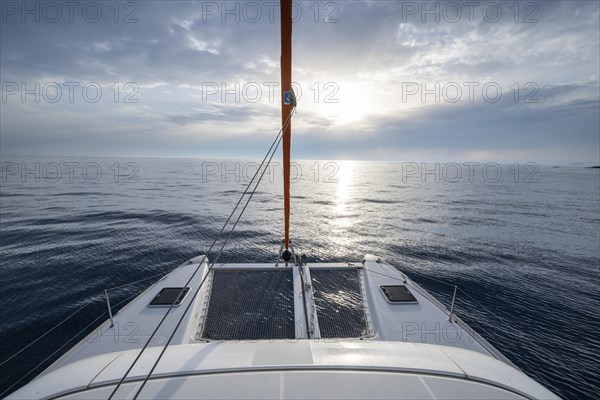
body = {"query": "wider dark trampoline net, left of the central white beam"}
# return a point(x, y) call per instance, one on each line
point(250, 305)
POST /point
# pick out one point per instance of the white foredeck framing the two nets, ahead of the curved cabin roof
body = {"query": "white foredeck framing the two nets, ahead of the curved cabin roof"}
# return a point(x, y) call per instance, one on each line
point(423, 322)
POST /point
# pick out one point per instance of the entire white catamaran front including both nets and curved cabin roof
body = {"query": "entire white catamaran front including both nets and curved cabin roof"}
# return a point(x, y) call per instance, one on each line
point(313, 331)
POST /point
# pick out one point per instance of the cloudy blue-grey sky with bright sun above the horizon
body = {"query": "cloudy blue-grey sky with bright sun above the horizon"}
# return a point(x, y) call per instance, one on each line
point(375, 80)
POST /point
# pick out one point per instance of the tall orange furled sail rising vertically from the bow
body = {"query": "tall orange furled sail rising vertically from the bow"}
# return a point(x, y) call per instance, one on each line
point(287, 100)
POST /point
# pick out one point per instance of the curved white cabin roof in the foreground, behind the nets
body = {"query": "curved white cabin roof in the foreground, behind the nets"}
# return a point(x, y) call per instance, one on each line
point(308, 369)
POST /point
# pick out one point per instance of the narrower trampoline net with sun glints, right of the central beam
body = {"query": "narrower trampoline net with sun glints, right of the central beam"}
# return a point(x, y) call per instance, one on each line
point(339, 302)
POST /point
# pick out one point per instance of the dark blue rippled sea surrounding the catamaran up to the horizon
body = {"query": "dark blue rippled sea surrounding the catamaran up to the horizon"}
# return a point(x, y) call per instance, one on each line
point(521, 242)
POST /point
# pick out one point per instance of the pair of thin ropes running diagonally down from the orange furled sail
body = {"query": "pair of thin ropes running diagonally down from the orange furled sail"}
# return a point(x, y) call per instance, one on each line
point(270, 151)
